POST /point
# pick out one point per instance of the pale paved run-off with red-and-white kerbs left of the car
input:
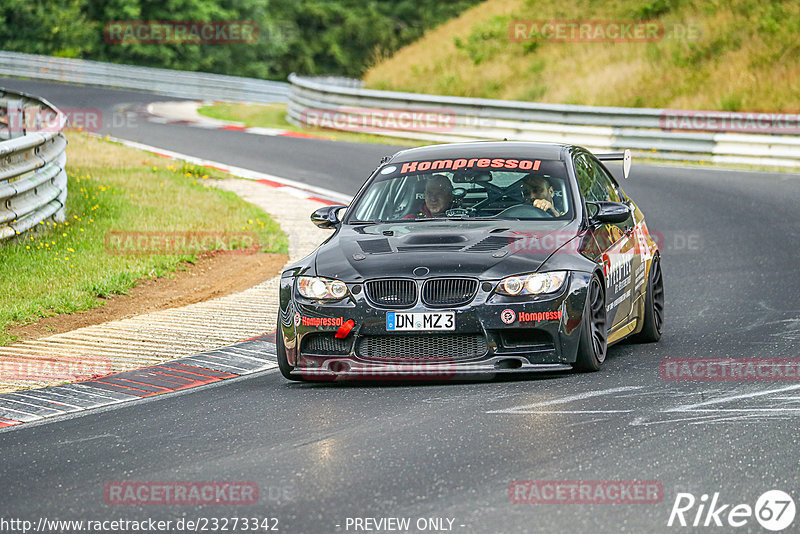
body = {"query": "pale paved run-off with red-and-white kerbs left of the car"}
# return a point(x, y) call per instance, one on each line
point(148, 369)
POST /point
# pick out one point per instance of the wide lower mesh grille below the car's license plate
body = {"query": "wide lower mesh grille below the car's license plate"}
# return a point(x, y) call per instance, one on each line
point(425, 347)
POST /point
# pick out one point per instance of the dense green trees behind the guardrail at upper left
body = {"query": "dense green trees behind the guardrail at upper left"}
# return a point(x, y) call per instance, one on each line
point(306, 36)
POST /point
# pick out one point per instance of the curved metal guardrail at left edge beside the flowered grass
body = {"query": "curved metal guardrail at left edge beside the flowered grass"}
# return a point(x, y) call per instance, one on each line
point(33, 183)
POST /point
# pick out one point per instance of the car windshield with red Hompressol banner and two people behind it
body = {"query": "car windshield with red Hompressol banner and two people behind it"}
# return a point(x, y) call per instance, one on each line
point(479, 188)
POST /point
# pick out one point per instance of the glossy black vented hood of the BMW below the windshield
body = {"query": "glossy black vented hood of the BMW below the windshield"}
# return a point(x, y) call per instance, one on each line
point(487, 249)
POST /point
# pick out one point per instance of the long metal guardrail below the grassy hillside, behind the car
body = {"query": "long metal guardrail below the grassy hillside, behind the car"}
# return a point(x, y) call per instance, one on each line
point(604, 129)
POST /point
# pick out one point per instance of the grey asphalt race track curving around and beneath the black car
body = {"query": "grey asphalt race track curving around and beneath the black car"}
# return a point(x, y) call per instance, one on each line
point(323, 453)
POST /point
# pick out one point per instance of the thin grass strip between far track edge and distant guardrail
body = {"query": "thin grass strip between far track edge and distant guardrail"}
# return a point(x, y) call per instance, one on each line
point(274, 116)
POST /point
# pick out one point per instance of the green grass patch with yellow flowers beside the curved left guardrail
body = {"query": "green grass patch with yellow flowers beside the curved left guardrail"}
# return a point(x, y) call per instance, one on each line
point(65, 267)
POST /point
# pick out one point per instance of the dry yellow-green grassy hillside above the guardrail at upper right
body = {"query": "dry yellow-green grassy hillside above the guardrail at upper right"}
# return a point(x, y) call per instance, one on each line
point(744, 56)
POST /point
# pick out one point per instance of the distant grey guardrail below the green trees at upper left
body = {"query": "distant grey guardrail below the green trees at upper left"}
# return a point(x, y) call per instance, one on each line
point(178, 83)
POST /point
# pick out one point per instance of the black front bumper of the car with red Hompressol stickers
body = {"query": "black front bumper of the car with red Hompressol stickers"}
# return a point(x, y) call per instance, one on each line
point(546, 343)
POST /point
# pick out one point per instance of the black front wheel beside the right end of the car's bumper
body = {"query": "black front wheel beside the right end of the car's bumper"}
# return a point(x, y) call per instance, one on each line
point(593, 342)
